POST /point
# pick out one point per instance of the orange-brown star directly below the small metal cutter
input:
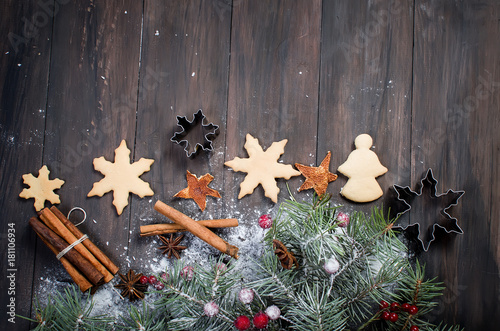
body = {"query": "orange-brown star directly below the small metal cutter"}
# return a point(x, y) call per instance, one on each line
point(198, 189)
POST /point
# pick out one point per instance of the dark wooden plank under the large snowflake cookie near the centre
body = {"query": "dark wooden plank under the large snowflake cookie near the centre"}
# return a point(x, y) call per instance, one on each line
point(273, 91)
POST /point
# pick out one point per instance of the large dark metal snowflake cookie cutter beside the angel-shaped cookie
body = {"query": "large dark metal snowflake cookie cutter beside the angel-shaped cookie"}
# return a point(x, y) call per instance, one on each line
point(444, 201)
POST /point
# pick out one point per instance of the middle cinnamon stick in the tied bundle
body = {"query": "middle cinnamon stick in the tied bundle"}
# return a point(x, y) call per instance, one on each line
point(51, 220)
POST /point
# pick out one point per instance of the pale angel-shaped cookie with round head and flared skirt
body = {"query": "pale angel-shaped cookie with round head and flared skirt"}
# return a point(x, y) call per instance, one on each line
point(362, 167)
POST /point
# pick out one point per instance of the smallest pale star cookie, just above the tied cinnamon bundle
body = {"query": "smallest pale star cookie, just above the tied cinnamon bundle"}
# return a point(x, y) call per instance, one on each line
point(41, 188)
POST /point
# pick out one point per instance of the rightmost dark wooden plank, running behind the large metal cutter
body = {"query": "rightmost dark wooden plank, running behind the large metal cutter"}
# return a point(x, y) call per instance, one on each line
point(455, 132)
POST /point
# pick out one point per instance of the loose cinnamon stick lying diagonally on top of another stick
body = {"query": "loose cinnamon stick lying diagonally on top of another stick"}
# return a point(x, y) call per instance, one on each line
point(197, 229)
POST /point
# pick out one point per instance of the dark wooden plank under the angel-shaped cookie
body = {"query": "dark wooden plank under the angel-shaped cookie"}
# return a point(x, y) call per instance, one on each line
point(366, 62)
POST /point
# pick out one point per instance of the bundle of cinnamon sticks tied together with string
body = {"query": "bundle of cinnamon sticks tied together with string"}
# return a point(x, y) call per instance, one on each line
point(88, 266)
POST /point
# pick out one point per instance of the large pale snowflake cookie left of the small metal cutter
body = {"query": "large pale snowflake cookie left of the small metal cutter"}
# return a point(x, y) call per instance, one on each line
point(121, 177)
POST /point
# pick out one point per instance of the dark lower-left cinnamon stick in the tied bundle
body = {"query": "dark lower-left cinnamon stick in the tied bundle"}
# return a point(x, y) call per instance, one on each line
point(90, 272)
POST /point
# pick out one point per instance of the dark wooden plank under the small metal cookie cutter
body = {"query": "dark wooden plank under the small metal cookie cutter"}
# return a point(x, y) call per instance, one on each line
point(184, 68)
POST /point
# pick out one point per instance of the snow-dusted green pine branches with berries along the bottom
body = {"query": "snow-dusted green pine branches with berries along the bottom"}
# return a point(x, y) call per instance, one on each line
point(344, 273)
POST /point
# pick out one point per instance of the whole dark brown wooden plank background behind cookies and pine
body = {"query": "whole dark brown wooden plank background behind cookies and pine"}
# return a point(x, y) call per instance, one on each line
point(421, 77)
